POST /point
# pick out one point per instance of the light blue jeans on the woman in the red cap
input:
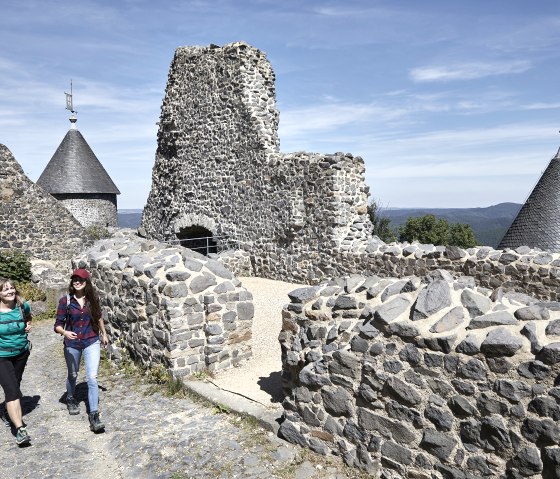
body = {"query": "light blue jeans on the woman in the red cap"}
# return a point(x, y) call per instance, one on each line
point(92, 355)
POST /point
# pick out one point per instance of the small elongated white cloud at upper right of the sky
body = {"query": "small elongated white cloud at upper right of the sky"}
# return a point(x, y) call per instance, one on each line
point(468, 71)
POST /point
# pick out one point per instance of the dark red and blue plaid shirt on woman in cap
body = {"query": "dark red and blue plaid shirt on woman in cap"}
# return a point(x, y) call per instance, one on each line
point(79, 321)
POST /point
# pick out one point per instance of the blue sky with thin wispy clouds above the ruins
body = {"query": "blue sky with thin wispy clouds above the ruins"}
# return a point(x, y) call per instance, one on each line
point(450, 103)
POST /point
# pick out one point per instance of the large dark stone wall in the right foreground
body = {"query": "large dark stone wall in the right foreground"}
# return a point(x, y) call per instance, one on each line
point(424, 378)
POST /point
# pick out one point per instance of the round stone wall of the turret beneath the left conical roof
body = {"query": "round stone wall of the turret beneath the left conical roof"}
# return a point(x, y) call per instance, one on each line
point(96, 209)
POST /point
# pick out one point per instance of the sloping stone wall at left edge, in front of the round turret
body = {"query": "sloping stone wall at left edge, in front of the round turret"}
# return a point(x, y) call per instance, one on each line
point(32, 220)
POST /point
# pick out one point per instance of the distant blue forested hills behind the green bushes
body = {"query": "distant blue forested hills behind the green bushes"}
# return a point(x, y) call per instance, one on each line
point(489, 224)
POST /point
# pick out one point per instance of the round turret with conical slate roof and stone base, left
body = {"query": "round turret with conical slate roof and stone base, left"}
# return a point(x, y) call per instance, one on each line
point(76, 178)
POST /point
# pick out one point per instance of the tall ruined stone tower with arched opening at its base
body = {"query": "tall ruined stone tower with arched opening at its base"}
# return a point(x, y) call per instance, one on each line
point(218, 172)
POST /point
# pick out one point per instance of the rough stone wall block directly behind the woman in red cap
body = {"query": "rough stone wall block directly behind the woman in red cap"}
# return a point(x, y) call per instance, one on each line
point(170, 305)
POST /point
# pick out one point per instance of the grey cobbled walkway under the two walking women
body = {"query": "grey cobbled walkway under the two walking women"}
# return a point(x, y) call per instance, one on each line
point(147, 436)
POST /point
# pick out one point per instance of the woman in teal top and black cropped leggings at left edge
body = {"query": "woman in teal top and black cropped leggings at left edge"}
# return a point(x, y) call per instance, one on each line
point(15, 323)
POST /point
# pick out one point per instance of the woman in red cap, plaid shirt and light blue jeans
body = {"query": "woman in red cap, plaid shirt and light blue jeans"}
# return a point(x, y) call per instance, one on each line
point(79, 320)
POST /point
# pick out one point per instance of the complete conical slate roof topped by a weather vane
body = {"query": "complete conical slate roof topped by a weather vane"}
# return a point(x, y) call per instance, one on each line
point(74, 168)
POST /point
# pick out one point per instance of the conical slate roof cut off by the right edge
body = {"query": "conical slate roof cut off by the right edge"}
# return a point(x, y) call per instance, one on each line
point(537, 224)
